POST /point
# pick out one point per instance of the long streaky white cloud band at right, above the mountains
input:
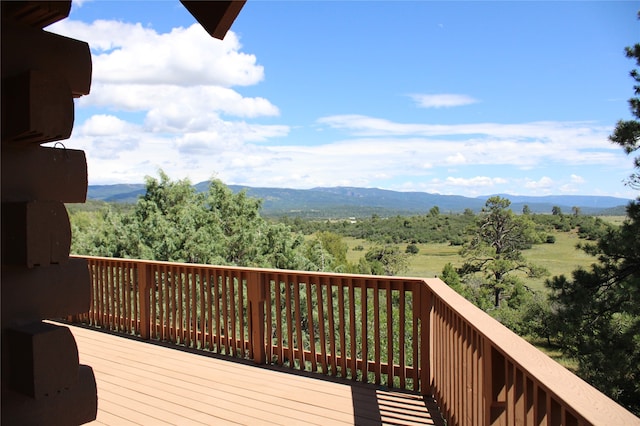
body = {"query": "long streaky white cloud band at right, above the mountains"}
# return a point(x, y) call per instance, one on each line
point(525, 145)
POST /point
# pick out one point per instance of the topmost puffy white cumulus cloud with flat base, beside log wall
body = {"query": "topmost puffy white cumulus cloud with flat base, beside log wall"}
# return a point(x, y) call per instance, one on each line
point(125, 53)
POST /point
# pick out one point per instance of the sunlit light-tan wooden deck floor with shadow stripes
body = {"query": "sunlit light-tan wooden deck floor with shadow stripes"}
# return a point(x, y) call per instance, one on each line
point(151, 384)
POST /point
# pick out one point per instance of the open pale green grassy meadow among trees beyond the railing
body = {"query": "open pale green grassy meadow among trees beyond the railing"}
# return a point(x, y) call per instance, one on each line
point(559, 258)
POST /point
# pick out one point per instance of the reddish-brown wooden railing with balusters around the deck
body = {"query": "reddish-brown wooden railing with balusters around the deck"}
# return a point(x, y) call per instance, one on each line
point(406, 333)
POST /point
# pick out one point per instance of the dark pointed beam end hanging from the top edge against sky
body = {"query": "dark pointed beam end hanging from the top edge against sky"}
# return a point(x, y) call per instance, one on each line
point(216, 17)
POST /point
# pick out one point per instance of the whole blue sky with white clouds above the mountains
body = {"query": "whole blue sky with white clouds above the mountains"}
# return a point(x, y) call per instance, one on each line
point(466, 98)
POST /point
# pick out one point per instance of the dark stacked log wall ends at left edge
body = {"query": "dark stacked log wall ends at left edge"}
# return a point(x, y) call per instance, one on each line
point(42, 379)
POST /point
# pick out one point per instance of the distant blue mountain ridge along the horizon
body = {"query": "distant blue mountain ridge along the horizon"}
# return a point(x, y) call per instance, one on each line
point(338, 202)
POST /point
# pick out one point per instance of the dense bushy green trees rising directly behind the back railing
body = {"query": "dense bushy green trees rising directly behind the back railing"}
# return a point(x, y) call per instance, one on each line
point(173, 222)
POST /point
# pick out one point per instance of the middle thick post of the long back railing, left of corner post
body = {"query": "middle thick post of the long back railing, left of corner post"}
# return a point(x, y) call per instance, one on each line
point(256, 298)
